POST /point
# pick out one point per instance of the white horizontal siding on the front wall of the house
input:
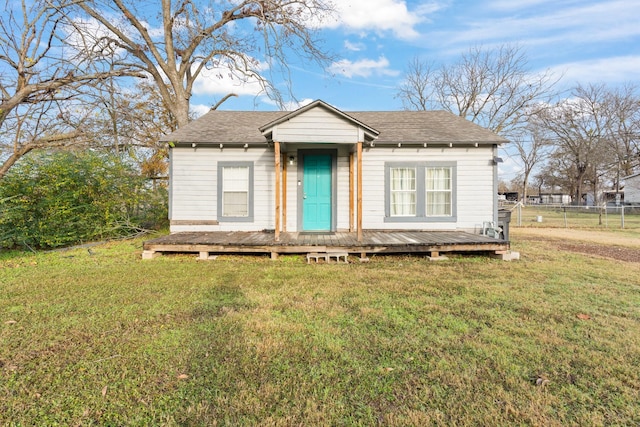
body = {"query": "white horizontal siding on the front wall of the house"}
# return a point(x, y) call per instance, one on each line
point(194, 193)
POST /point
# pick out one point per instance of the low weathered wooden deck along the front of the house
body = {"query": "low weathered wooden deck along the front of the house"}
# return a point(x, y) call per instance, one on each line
point(373, 242)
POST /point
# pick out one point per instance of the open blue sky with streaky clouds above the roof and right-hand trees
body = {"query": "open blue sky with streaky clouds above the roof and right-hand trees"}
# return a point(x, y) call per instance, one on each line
point(584, 41)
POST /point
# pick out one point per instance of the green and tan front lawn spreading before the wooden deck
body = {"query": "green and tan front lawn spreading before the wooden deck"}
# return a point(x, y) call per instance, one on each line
point(107, 339)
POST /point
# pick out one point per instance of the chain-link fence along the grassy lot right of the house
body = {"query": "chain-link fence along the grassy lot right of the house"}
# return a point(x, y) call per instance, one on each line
point(569, 216)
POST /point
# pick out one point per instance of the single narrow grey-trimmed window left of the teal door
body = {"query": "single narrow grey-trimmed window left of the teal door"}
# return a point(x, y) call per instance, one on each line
point(235, 191)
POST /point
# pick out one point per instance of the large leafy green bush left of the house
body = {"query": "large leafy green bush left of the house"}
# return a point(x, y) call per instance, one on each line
point(62, 198)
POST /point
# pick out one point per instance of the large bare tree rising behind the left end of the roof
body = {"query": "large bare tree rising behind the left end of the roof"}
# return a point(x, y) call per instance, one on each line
point(193, 35)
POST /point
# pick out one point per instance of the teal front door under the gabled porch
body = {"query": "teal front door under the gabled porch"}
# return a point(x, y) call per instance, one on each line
point(316, 189)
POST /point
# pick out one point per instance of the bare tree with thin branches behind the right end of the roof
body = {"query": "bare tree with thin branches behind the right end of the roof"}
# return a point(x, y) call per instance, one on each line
point(492, 87)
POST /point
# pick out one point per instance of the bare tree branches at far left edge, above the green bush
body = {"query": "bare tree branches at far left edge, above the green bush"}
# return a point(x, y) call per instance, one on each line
point(38, 78)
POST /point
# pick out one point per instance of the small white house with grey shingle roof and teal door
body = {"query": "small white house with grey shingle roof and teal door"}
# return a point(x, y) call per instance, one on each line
point(318, 169)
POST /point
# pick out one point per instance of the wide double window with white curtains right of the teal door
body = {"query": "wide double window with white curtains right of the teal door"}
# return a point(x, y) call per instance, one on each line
point(420, 191)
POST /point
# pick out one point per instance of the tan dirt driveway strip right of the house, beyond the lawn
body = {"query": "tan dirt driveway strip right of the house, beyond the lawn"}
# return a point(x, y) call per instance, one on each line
point(596, 243)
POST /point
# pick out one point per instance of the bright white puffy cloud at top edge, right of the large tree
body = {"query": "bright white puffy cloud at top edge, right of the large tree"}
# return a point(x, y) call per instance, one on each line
point(382, 16)
